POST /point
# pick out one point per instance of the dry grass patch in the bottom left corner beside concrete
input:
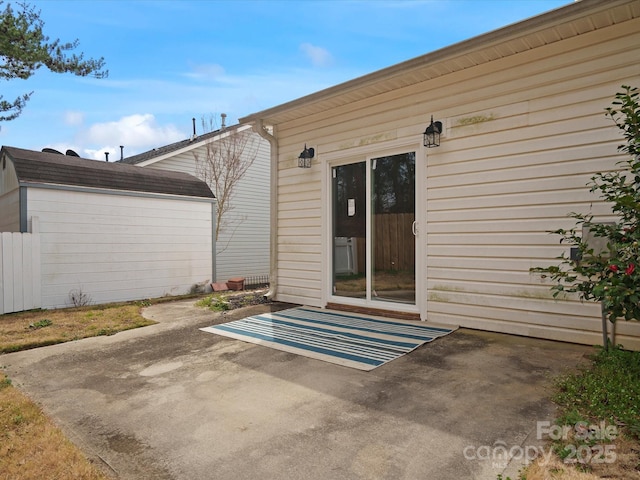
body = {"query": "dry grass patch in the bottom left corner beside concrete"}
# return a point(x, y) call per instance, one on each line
point(31, 446)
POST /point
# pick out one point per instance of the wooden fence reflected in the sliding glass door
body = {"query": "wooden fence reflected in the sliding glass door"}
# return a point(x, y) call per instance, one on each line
point(393, 244)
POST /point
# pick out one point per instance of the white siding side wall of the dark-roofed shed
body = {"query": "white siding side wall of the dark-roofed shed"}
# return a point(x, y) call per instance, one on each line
point(117, 248)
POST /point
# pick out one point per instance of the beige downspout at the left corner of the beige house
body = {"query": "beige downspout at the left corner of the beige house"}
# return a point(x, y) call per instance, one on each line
point(258, 127)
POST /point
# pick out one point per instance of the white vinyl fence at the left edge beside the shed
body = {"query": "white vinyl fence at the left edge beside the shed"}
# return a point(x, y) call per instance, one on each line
point(20, 287)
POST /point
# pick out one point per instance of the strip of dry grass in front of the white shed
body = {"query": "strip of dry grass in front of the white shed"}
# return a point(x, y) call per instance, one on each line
point(39, 328)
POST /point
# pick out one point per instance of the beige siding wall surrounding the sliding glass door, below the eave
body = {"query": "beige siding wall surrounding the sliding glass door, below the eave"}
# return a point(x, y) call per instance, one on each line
point(523, 135)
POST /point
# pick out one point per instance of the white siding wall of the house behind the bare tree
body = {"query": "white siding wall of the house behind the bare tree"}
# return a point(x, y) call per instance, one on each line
point(243, 246)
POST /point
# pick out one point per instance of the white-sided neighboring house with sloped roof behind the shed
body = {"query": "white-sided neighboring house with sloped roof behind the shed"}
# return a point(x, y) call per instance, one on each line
point(242, 248)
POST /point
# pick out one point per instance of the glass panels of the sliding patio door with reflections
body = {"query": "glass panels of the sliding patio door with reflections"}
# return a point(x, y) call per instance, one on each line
point(381, 250)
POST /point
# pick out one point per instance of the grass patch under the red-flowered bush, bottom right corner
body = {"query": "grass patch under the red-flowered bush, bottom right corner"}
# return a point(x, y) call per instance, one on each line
point(604, 394)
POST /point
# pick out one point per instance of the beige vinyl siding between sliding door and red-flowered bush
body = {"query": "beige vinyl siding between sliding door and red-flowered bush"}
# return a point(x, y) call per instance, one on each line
point(501, 183)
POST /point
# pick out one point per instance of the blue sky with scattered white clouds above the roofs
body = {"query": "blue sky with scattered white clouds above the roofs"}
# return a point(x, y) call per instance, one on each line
point(171, 61)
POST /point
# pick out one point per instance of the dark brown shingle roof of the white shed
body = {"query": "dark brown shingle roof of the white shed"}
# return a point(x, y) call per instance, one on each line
point(52, 168)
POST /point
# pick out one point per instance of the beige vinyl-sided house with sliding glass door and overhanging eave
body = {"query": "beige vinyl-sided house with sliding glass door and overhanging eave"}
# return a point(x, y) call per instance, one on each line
point(381, 223)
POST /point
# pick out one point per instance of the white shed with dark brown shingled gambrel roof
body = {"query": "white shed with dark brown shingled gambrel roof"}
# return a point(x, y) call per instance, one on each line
point(114, 232)
